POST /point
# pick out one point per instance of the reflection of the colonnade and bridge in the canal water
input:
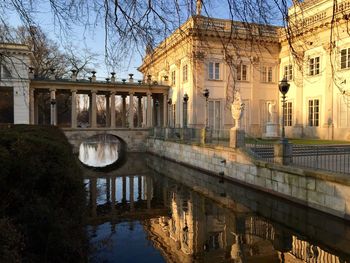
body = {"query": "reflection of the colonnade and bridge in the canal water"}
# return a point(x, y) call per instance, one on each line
point(124, 198)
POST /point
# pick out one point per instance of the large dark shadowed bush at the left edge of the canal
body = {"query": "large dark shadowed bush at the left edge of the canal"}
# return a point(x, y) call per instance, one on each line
point(41, 197)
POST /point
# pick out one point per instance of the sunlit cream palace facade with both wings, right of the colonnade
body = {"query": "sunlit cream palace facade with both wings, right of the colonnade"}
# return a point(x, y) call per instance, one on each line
point(223, 56)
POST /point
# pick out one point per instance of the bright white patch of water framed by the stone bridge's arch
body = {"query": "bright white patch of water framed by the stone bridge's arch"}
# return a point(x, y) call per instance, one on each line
point(99, 150)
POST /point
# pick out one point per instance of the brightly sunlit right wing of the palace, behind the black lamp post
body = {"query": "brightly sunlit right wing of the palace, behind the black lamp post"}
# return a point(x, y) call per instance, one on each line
point(315, 58)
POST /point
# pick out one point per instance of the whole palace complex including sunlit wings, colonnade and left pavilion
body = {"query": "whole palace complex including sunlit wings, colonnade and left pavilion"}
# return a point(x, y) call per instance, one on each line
point(223, 57)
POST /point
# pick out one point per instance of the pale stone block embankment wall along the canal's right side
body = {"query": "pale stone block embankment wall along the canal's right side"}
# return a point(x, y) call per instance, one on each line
point(321, 190)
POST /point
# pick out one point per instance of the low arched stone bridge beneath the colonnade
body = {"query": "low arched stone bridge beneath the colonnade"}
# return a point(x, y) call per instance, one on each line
point(134, 139)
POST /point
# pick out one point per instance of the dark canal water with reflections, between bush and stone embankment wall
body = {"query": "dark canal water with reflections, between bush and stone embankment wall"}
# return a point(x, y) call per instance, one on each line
point(154, 210)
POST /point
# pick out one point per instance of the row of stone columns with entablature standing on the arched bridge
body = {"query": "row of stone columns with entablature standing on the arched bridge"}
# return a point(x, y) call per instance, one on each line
point(151, 104)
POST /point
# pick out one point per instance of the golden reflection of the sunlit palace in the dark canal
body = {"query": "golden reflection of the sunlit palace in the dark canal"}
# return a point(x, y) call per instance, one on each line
point(200, 230)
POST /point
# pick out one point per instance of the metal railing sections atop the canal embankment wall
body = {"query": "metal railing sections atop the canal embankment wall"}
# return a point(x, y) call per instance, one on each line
point(333, 158)
